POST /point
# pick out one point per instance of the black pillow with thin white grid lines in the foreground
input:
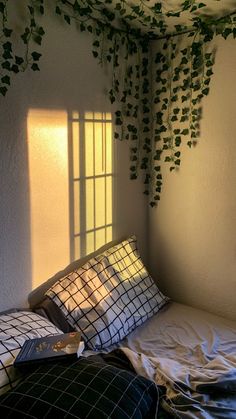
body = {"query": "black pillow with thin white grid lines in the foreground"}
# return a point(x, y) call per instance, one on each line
point(83, 389)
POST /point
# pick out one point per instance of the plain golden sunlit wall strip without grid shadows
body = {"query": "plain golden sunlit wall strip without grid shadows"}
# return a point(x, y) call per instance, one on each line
point(49, 193)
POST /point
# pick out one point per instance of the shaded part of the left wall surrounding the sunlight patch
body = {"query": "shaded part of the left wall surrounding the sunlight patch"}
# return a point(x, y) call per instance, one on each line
point(69, 78)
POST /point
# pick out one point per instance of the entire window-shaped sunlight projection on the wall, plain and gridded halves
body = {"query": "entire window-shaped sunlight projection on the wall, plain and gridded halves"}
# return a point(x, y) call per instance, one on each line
point(71, 187)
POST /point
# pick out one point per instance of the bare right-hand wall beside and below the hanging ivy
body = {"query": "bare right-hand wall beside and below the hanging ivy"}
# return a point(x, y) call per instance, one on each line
point(192, 236)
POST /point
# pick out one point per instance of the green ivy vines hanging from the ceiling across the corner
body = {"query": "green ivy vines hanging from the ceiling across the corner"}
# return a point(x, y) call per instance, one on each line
point(159, 75)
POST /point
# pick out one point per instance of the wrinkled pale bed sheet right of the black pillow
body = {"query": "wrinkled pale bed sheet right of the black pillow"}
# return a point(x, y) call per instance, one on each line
point(193, 354)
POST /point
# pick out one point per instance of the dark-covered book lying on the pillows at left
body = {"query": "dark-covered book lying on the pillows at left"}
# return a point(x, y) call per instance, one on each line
point(50, 348)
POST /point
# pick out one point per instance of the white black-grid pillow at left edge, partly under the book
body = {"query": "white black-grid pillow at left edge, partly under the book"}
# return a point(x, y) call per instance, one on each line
point(15, 329)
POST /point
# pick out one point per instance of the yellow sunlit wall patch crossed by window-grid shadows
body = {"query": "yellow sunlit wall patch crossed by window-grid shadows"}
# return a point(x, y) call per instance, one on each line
point(92, 181)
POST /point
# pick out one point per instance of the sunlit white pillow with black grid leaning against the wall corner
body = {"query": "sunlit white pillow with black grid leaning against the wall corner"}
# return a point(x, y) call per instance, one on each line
point(109, 296)
